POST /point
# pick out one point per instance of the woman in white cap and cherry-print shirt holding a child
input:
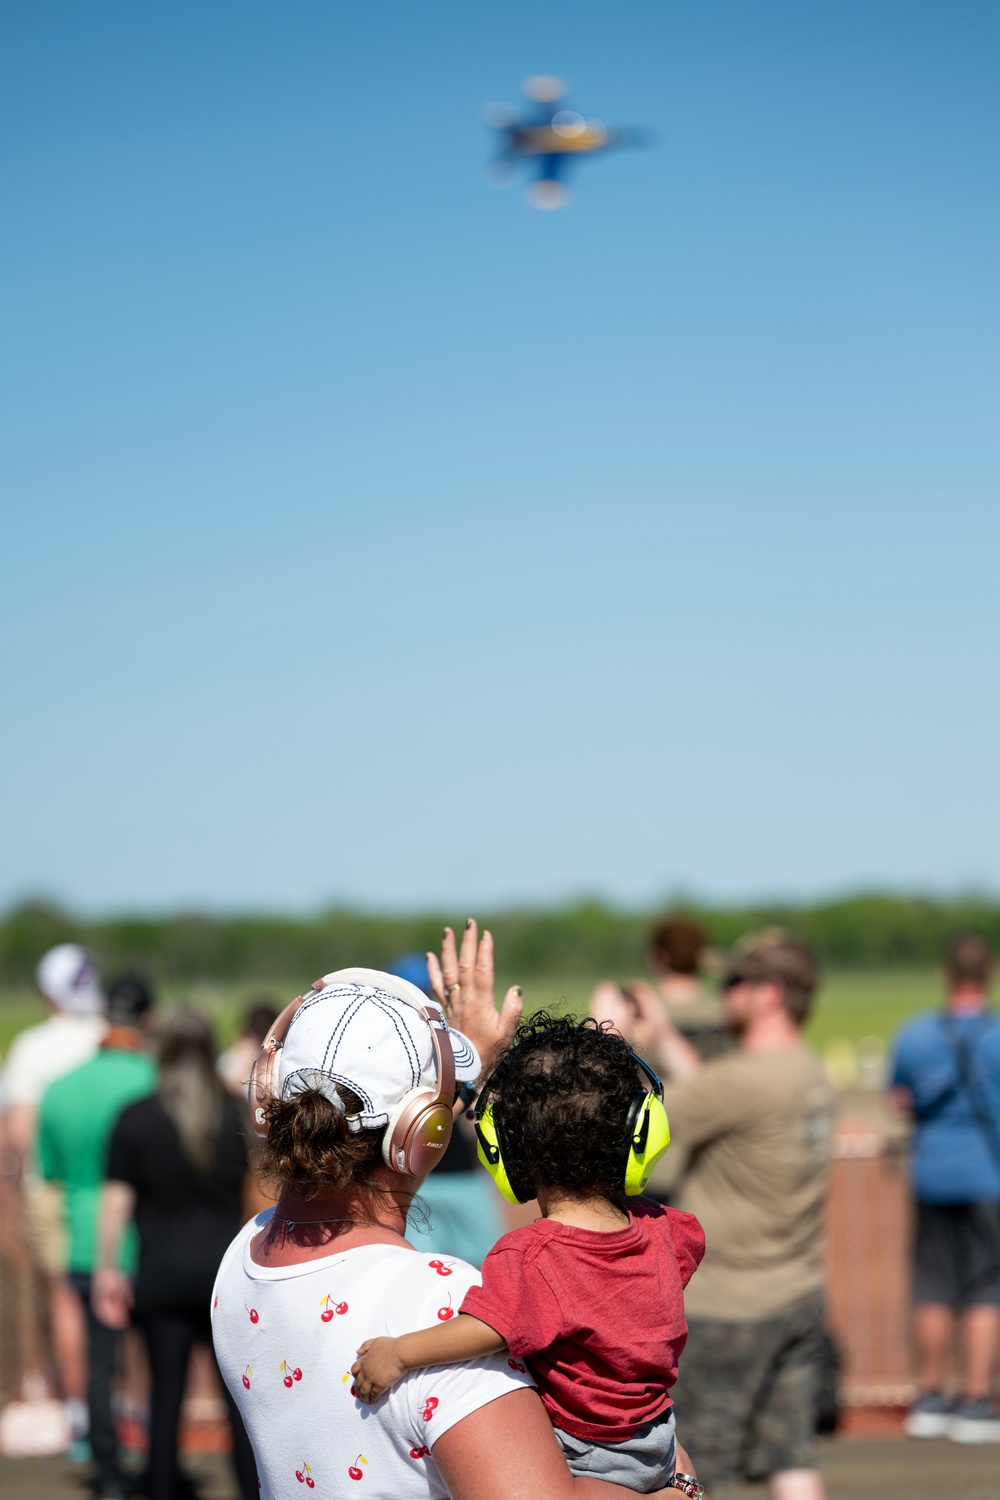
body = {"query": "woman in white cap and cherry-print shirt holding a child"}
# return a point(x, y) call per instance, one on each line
point(356, 1090)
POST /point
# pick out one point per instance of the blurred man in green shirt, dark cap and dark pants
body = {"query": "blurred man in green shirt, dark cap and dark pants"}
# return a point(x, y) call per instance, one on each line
point(77, 1118)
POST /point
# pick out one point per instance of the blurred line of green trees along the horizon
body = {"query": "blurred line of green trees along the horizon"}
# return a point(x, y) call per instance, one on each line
point(866, 931)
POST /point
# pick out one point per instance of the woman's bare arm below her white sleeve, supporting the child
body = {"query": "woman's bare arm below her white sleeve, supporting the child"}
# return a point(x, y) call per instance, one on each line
point(507, 1451)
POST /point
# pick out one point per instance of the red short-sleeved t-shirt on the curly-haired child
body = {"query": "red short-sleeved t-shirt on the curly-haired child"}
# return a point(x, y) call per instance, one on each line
point(597, 1318)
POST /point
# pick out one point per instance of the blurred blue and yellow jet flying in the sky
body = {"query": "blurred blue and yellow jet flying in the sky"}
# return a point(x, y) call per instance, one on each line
point(548, 137)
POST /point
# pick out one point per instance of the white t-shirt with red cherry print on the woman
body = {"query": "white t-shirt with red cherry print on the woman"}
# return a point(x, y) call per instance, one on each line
point(286, 1340)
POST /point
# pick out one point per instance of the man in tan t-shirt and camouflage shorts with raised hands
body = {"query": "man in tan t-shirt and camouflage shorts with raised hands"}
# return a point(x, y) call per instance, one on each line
point(758, 1127)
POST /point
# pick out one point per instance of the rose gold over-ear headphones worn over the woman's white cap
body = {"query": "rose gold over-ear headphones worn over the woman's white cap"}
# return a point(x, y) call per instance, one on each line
point(421, 1126)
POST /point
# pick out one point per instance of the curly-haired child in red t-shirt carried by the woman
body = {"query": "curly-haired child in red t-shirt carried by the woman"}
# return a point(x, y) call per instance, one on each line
point(591, 1295)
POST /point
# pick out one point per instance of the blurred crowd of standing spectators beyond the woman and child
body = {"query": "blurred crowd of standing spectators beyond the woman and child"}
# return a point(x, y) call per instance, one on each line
point(131, 1150)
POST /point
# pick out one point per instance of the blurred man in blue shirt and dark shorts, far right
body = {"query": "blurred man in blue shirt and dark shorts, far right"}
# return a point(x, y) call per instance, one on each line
point(947, 1073)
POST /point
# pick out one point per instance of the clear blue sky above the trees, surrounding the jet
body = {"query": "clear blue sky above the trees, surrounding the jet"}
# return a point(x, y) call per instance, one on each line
point(371, 536)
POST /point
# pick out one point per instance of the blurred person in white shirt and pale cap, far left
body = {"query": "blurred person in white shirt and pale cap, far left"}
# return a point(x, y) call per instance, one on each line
point(70, 985)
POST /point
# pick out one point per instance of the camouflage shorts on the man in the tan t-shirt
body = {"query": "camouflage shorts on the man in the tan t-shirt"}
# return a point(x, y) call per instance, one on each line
point(747, 1394)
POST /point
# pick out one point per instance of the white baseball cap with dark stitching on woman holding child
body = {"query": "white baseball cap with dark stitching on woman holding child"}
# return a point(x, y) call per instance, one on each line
point(365, 1031)
